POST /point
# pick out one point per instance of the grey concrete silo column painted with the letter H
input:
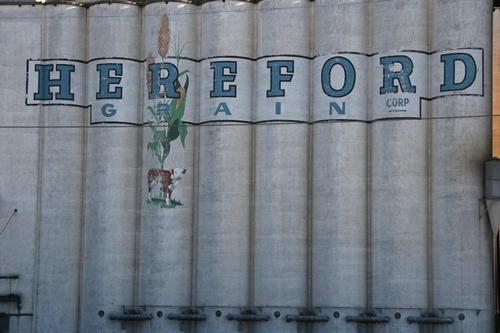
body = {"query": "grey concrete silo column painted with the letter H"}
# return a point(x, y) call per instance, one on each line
point(61, 171)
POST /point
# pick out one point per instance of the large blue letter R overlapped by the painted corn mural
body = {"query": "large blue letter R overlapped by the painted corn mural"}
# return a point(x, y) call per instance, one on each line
point(168, 82)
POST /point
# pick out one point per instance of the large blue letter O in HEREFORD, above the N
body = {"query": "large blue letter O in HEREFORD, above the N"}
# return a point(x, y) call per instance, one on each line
point(349, 77)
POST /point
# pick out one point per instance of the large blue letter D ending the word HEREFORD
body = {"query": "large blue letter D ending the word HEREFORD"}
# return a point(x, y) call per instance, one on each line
point(449, 61)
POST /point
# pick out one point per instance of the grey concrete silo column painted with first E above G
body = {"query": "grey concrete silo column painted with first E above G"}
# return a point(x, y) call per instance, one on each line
point(111, 217)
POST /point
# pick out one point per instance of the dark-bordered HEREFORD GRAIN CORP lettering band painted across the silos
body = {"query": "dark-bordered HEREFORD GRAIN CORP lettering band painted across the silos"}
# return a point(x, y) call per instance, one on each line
point(347, 86)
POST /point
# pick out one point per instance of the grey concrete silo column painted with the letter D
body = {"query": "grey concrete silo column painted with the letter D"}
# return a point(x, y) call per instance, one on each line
point(461, 272)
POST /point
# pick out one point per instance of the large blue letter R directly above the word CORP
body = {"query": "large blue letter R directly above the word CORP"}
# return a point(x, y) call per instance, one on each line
point(403, 75)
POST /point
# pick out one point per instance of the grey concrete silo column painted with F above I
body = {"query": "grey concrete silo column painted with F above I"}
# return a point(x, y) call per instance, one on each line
point(281, 165)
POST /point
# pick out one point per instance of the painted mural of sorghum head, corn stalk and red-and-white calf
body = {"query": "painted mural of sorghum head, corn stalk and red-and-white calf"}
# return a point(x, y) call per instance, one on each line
point(168, 128)
